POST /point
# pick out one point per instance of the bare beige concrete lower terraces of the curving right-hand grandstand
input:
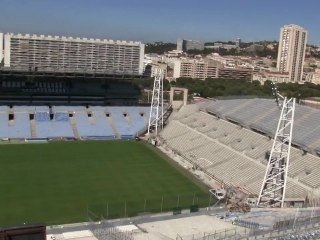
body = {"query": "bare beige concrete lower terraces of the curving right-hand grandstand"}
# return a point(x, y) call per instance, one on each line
point(240, 163)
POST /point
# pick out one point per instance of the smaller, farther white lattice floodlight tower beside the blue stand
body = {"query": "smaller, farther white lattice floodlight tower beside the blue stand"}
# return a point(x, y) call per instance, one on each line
point(156, 109)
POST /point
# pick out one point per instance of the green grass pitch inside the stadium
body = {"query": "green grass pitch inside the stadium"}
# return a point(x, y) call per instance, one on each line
point(62, 182)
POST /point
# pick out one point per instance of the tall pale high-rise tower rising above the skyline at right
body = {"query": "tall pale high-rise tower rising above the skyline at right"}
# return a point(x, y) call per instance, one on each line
point(291, 52)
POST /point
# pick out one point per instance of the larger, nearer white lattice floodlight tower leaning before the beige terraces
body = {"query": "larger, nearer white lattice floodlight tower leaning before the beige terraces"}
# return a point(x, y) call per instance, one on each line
point(273, 188)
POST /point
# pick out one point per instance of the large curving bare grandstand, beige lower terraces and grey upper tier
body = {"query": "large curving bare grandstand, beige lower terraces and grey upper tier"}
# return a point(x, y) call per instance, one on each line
point(230, 140)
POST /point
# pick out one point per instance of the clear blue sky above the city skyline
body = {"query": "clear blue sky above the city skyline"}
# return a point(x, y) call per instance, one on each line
point(165, 20)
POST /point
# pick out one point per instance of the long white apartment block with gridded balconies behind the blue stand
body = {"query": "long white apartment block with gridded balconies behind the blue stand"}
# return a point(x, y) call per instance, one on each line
point(68, 54)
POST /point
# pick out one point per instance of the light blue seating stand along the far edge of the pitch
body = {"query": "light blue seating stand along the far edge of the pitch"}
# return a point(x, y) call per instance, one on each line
point(71, 122)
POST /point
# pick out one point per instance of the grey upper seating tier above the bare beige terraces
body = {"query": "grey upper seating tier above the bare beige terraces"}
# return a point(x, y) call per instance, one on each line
point(263, 115)
